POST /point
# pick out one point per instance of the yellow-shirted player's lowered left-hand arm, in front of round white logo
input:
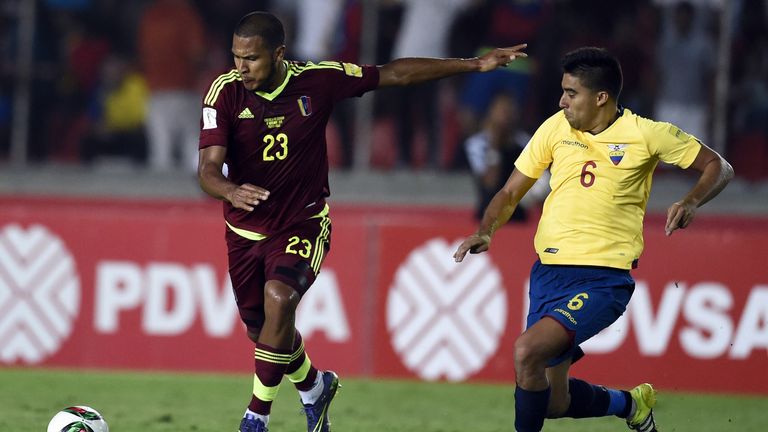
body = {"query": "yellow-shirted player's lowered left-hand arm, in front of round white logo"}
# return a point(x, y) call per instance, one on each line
point(497, 213)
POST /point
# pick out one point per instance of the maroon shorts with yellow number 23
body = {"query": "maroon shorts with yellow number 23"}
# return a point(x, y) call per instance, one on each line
point(292, 256)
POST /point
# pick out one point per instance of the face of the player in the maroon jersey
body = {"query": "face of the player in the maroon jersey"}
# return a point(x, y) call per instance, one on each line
point(256, 64)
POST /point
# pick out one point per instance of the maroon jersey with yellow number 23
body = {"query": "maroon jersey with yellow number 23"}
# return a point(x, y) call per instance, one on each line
point(277, 140)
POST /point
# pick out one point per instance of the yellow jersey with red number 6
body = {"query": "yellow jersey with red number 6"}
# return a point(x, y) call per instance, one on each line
point(600, 186)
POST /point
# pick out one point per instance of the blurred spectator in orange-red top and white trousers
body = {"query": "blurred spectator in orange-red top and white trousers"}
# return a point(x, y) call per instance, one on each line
point(171, 49)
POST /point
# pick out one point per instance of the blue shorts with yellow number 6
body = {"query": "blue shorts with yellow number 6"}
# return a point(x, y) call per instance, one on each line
point(583, 299)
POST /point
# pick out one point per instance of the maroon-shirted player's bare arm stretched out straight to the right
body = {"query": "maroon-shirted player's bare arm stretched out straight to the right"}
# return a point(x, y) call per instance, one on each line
point(413, 70)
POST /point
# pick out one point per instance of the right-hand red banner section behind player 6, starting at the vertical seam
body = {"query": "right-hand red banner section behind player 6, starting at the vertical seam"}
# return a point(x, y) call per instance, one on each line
point(700, 309)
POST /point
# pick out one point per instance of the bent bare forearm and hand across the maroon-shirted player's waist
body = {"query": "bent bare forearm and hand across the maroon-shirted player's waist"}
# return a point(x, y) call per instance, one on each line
point(213, 182)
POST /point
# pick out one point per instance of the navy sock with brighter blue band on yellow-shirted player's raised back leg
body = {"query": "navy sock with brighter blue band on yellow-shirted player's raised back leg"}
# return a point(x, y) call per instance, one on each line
point(589, 400)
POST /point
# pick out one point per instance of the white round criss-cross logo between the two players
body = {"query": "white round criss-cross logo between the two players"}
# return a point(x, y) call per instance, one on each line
point(446, 320)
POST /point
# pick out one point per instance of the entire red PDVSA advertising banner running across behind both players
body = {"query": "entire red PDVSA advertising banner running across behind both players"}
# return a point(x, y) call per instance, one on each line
point(144, 285)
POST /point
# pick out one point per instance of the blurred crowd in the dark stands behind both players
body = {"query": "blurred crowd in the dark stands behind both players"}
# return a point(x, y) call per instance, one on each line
point(124, 80)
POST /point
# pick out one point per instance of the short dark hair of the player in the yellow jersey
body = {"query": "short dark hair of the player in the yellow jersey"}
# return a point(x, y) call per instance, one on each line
point(597, 69)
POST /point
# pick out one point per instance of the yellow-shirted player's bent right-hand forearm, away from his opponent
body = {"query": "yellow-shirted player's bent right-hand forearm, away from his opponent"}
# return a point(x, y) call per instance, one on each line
point(716, 172)
